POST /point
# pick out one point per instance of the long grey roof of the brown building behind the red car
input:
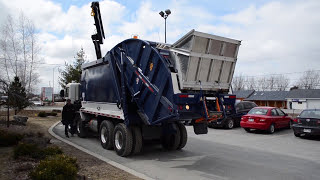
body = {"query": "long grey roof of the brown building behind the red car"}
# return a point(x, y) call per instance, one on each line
point(268, 96)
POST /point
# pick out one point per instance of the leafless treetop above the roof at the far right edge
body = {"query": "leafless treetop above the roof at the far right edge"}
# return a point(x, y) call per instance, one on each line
point(309, 80)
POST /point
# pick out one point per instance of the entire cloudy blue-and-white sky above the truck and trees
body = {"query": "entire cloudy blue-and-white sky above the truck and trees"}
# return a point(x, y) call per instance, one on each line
point(277, 36)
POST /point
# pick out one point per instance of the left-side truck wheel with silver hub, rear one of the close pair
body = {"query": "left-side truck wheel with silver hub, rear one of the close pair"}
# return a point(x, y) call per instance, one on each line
point(122, 140)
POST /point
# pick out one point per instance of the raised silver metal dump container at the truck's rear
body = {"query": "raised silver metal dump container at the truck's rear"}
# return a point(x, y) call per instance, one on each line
point(205, 60)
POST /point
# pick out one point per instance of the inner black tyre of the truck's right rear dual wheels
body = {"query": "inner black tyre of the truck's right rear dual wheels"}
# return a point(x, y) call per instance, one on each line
point(171, 141)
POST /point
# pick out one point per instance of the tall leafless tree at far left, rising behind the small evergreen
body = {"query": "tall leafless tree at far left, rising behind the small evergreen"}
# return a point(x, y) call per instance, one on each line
point(19, 48)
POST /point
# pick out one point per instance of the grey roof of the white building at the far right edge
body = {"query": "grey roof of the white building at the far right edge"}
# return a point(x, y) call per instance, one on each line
point(304, 93)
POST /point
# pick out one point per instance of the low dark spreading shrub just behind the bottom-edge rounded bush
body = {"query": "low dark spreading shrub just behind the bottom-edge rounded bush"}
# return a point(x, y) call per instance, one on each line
point(33, 151)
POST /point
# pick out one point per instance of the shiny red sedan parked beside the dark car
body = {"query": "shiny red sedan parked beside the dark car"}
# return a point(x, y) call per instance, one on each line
point(265, 118)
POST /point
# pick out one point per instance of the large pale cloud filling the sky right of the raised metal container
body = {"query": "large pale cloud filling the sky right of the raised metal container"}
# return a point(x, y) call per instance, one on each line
point(277, 37)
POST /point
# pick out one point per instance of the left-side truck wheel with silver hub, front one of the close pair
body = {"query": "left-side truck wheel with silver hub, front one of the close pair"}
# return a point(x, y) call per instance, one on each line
point(106, 134)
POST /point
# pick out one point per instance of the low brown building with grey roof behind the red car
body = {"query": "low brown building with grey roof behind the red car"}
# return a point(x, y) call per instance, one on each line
point(269, 98)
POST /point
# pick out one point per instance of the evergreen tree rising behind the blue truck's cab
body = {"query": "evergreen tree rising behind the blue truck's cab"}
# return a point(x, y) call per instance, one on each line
point(73, 71)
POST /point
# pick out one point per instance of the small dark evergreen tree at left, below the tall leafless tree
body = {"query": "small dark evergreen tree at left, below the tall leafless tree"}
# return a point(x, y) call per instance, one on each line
point(17, 96)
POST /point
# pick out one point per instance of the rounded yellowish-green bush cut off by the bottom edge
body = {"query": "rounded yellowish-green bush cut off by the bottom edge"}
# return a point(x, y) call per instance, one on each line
point(55, 167)
